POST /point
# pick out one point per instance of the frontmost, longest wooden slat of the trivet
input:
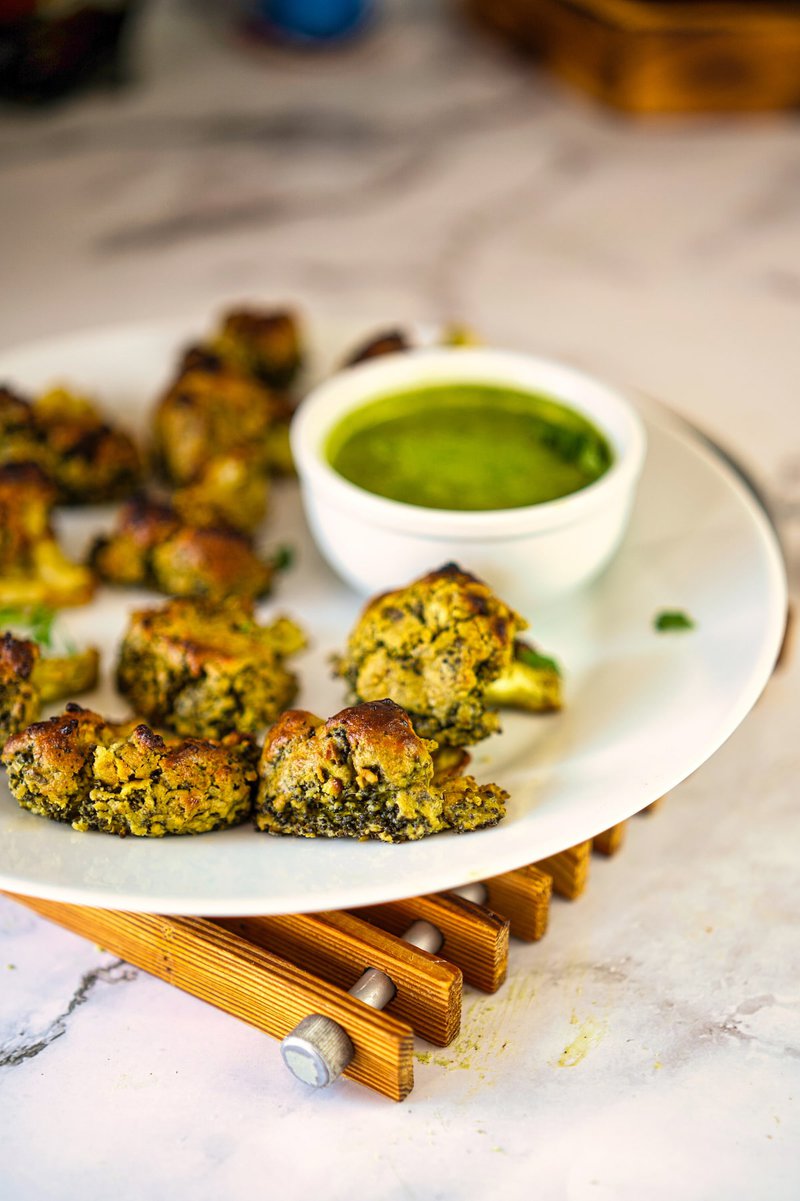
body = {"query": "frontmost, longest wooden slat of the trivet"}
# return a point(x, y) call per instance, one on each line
point(247, 982)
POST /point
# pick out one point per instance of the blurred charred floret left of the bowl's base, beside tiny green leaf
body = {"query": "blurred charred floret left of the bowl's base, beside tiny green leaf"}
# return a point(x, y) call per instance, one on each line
point(154, 548)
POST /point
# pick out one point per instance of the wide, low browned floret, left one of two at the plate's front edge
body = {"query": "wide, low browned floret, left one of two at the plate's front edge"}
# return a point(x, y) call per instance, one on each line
point(103, 776)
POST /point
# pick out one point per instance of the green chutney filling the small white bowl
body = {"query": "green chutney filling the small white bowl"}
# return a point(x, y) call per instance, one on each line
point(468, 446)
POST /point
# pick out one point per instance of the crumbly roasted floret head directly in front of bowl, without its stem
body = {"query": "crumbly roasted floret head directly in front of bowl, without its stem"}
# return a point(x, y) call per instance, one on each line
point(434, 648)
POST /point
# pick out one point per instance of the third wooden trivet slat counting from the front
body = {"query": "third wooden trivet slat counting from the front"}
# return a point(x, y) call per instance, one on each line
point(476, 940)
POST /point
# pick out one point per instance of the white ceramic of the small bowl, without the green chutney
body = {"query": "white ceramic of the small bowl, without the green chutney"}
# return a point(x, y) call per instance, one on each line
point(532, 555)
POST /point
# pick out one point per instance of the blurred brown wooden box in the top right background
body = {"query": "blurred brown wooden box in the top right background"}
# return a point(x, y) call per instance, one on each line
point(661, 57)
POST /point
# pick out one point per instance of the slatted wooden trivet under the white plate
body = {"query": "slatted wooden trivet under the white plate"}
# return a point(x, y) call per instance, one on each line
point(280, 972)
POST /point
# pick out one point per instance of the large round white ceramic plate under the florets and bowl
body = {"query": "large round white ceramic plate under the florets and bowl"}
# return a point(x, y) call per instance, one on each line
point(643, 710)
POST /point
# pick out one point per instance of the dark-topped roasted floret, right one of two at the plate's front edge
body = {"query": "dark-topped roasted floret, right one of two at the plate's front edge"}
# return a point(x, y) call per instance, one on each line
point(363, 774)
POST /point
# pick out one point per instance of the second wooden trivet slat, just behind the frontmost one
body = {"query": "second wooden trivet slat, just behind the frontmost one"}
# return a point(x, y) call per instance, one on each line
point(339, 948)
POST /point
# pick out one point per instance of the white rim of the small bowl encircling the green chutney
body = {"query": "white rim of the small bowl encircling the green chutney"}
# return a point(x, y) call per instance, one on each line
point(351, 387)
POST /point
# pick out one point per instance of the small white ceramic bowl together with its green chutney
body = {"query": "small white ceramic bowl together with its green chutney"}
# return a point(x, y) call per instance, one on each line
point(522, 470)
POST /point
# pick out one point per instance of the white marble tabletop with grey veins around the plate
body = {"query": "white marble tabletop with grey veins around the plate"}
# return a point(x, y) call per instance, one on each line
point(649, 1048)
